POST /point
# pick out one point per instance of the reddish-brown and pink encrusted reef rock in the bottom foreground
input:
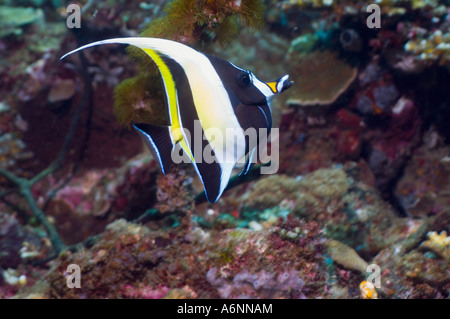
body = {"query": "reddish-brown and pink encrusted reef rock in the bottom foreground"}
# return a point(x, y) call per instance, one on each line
point(132, 261)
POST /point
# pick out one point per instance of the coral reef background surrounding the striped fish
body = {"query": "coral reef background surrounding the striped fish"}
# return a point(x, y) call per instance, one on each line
point(364, 153)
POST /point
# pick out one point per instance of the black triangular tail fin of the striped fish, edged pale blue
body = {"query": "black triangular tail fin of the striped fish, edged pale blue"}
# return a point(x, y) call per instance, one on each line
point(159, 142)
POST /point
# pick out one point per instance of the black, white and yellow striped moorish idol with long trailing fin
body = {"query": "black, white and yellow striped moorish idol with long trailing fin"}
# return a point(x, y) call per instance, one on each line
point(204, 89)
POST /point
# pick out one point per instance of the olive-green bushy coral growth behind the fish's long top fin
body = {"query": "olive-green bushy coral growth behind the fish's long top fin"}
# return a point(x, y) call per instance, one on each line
point(190, 22)
